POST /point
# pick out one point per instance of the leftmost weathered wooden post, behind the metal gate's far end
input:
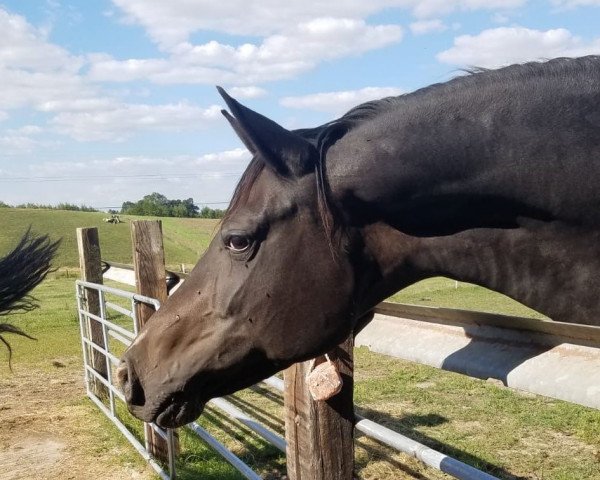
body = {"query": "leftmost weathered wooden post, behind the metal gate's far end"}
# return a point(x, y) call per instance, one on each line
point(88, 245)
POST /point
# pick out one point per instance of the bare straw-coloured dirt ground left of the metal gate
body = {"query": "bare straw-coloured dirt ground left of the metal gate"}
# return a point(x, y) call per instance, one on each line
point(48, 431)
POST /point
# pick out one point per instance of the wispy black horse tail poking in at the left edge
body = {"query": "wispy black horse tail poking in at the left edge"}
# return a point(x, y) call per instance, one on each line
point(21, 270)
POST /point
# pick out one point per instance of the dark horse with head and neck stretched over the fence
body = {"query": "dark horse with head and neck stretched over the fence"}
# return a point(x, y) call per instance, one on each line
point(491, 178)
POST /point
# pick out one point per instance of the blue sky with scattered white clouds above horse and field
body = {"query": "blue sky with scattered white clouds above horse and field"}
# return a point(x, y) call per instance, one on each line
point(103, 102)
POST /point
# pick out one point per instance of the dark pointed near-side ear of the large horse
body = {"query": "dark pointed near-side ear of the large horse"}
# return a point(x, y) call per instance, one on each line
point(284, 151)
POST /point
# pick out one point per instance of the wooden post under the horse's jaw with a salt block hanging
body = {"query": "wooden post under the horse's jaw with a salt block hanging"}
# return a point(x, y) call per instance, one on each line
point(320, 435)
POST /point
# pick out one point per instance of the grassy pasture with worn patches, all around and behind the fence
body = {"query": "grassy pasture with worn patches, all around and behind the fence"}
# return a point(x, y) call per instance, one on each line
point(42, 403)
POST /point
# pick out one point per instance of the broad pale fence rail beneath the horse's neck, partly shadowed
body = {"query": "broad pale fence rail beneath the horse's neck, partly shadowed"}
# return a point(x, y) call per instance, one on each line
point(557, 360)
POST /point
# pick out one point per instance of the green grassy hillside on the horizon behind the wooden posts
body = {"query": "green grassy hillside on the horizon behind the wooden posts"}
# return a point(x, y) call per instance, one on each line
point(185, 238)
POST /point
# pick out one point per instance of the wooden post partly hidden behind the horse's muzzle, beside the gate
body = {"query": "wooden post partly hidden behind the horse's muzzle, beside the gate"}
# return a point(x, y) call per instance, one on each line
point(150, 280)
